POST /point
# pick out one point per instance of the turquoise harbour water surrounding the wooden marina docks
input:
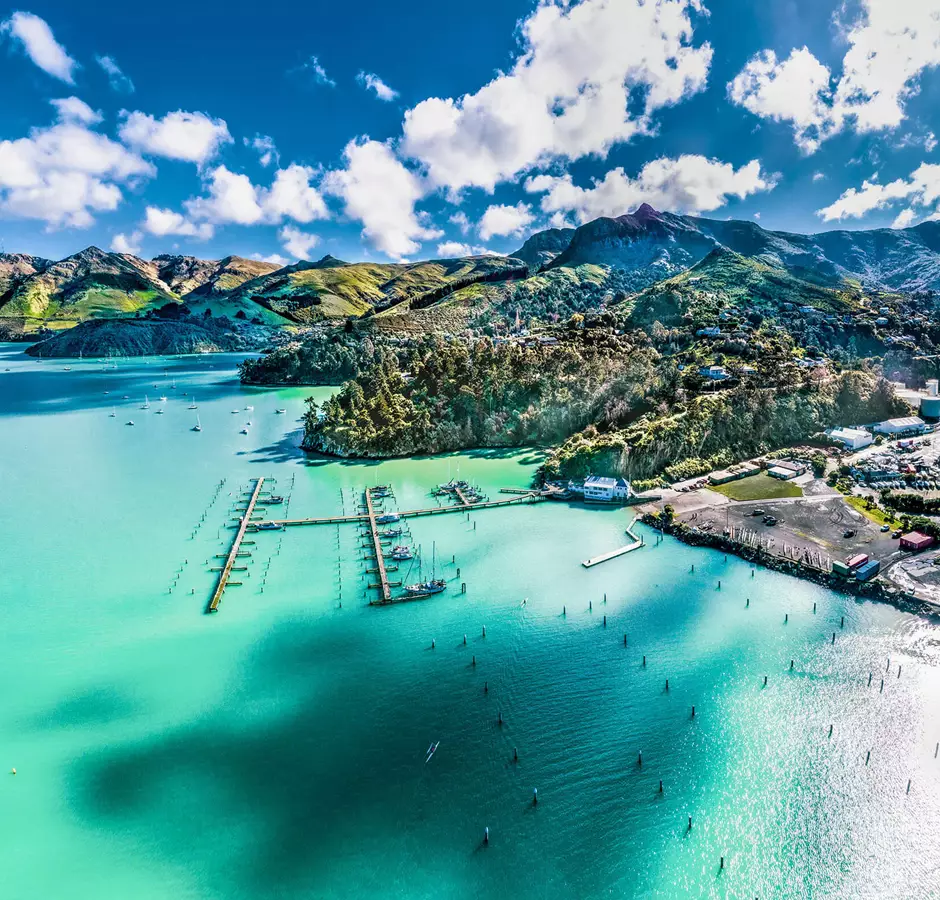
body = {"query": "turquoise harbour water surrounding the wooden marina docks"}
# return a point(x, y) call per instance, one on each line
point(277, 749)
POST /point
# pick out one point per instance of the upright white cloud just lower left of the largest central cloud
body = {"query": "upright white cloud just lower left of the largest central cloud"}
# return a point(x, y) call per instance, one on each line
point(378, 191)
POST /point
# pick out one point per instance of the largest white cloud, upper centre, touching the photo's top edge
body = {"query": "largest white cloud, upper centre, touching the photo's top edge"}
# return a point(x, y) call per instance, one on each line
point(589, 75)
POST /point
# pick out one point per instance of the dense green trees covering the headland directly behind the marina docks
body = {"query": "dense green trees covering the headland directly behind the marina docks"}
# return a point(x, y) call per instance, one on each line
point(445, 395)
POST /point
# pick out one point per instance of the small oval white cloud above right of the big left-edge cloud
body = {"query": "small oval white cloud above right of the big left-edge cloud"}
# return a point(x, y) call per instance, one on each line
point(189, 136)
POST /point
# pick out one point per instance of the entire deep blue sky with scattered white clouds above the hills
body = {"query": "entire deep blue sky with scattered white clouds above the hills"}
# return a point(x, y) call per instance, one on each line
point(412, 130)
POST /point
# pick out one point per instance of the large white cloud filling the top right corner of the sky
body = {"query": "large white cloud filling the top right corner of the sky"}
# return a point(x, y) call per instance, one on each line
point(889, 46)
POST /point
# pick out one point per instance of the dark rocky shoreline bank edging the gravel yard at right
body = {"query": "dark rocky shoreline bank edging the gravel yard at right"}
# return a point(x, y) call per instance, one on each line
point(869, 590)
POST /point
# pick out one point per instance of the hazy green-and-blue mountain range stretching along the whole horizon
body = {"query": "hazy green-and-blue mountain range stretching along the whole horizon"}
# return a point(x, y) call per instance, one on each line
point(636, 251)
